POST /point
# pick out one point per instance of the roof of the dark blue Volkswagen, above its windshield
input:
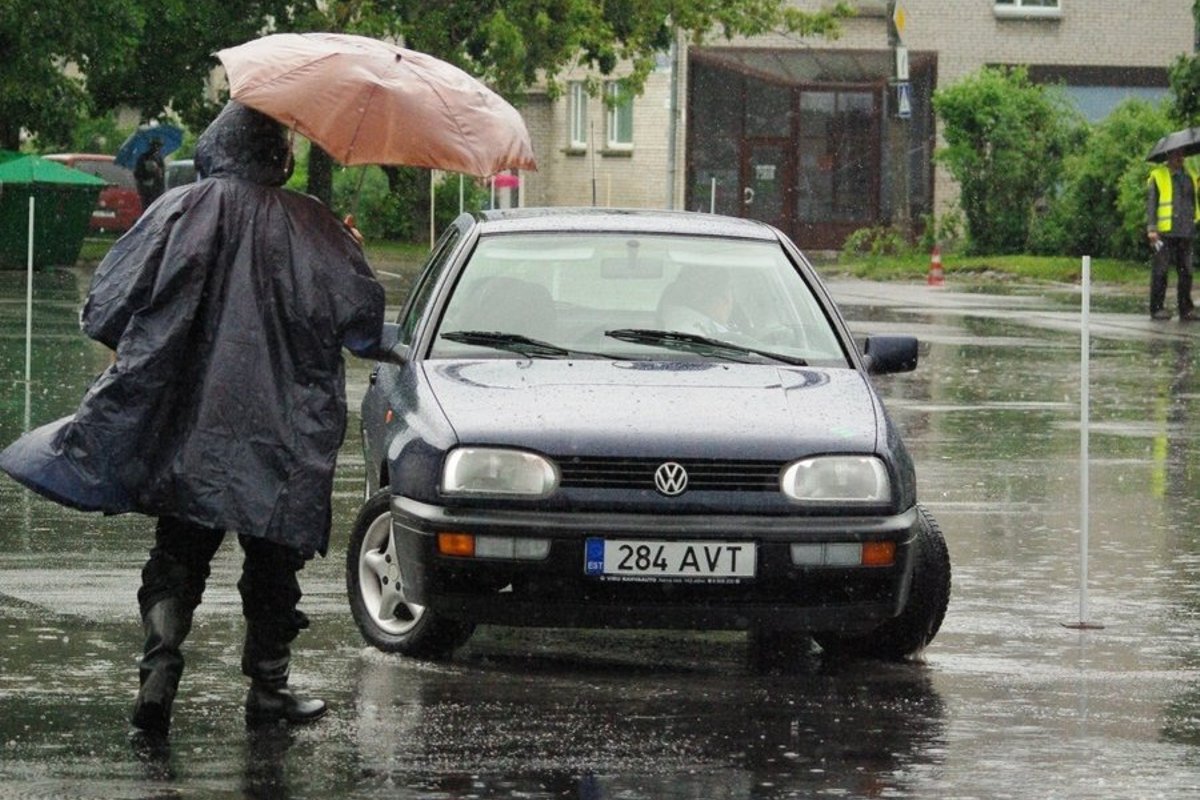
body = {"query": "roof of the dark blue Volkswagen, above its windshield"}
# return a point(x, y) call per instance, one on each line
point(538, 220)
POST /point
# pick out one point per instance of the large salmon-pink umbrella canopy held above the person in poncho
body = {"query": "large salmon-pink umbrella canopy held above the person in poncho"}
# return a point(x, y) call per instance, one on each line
point(370, 103)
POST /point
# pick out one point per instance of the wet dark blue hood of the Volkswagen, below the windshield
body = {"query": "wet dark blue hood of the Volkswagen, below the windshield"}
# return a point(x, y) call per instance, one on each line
point(646, 408)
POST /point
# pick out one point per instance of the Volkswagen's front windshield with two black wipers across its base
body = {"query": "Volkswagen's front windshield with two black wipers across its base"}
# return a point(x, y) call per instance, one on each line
point(635, 297)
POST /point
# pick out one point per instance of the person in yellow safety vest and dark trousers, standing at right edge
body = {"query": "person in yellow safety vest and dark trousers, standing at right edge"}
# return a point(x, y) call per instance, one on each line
point(1172, 215)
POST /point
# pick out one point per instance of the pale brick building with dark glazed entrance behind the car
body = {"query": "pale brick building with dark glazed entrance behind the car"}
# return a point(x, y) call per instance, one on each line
point(811, 136)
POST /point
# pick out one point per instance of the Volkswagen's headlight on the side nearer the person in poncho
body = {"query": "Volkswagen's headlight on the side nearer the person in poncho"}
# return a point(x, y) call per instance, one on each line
point(489, 471)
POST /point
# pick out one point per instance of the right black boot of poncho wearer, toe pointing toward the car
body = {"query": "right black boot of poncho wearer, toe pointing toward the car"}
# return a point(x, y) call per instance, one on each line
point(266, 661)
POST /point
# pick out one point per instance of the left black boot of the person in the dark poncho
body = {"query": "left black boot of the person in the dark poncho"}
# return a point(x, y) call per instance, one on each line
point(167, 624)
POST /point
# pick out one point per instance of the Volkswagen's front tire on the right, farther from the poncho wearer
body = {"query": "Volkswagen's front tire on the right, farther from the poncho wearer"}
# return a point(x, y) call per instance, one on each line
point(929, 597)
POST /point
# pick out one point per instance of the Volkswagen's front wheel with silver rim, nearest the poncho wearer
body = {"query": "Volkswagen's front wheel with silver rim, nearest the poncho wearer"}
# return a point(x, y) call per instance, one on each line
point(387, 621)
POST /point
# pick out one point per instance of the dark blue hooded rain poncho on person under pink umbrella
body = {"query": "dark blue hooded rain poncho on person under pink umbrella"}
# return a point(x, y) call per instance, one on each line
point(229, 306)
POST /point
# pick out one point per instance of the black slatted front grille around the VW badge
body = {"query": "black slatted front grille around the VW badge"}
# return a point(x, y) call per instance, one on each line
point(590, 473)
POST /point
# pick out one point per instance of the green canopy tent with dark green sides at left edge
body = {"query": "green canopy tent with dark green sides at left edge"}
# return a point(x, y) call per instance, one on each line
point(63, 203)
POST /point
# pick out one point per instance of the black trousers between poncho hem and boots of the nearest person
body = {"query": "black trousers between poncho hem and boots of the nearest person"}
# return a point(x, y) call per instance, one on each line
point(179, 567)
